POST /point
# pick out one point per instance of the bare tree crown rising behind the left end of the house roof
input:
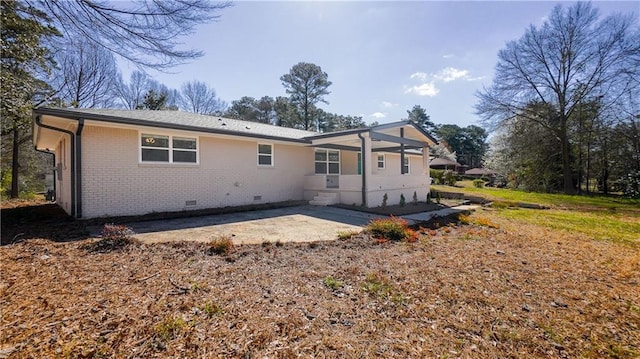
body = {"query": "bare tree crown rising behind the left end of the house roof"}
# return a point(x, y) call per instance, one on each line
point(86, 76)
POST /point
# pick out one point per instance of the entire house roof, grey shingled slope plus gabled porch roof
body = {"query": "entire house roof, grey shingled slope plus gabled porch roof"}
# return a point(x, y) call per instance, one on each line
point(386, 137)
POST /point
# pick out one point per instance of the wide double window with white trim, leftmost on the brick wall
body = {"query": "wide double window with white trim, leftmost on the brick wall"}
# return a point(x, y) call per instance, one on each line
point(168, 149)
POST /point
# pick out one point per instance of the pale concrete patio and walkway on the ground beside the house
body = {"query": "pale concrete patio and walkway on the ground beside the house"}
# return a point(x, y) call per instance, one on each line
point(289, 224)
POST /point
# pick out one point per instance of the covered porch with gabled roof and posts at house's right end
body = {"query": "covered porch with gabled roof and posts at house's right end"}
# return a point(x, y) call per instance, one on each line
point(360, 166)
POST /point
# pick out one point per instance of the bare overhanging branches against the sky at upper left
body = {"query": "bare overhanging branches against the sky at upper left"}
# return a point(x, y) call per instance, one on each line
point(144, 32)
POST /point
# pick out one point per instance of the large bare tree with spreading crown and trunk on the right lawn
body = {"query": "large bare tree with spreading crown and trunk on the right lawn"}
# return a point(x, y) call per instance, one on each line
point(572, 58)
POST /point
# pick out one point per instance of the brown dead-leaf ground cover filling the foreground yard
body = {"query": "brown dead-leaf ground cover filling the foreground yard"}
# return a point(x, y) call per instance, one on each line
point(495, 287)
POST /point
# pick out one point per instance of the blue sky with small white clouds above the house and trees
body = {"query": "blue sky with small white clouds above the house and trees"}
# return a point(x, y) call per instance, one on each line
point(382, 57)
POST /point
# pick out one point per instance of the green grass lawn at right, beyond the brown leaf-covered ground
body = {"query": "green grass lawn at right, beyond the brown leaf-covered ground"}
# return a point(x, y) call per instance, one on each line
point(600, 217)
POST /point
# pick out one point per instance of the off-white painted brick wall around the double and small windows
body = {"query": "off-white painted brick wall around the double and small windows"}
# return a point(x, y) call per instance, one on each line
point(114, 183)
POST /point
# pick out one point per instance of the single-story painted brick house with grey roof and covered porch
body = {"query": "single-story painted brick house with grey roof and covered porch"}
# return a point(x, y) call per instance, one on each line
point(131, 162)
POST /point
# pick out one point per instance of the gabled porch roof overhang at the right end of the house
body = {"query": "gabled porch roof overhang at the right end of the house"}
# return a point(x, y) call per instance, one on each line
point(390, 137)
